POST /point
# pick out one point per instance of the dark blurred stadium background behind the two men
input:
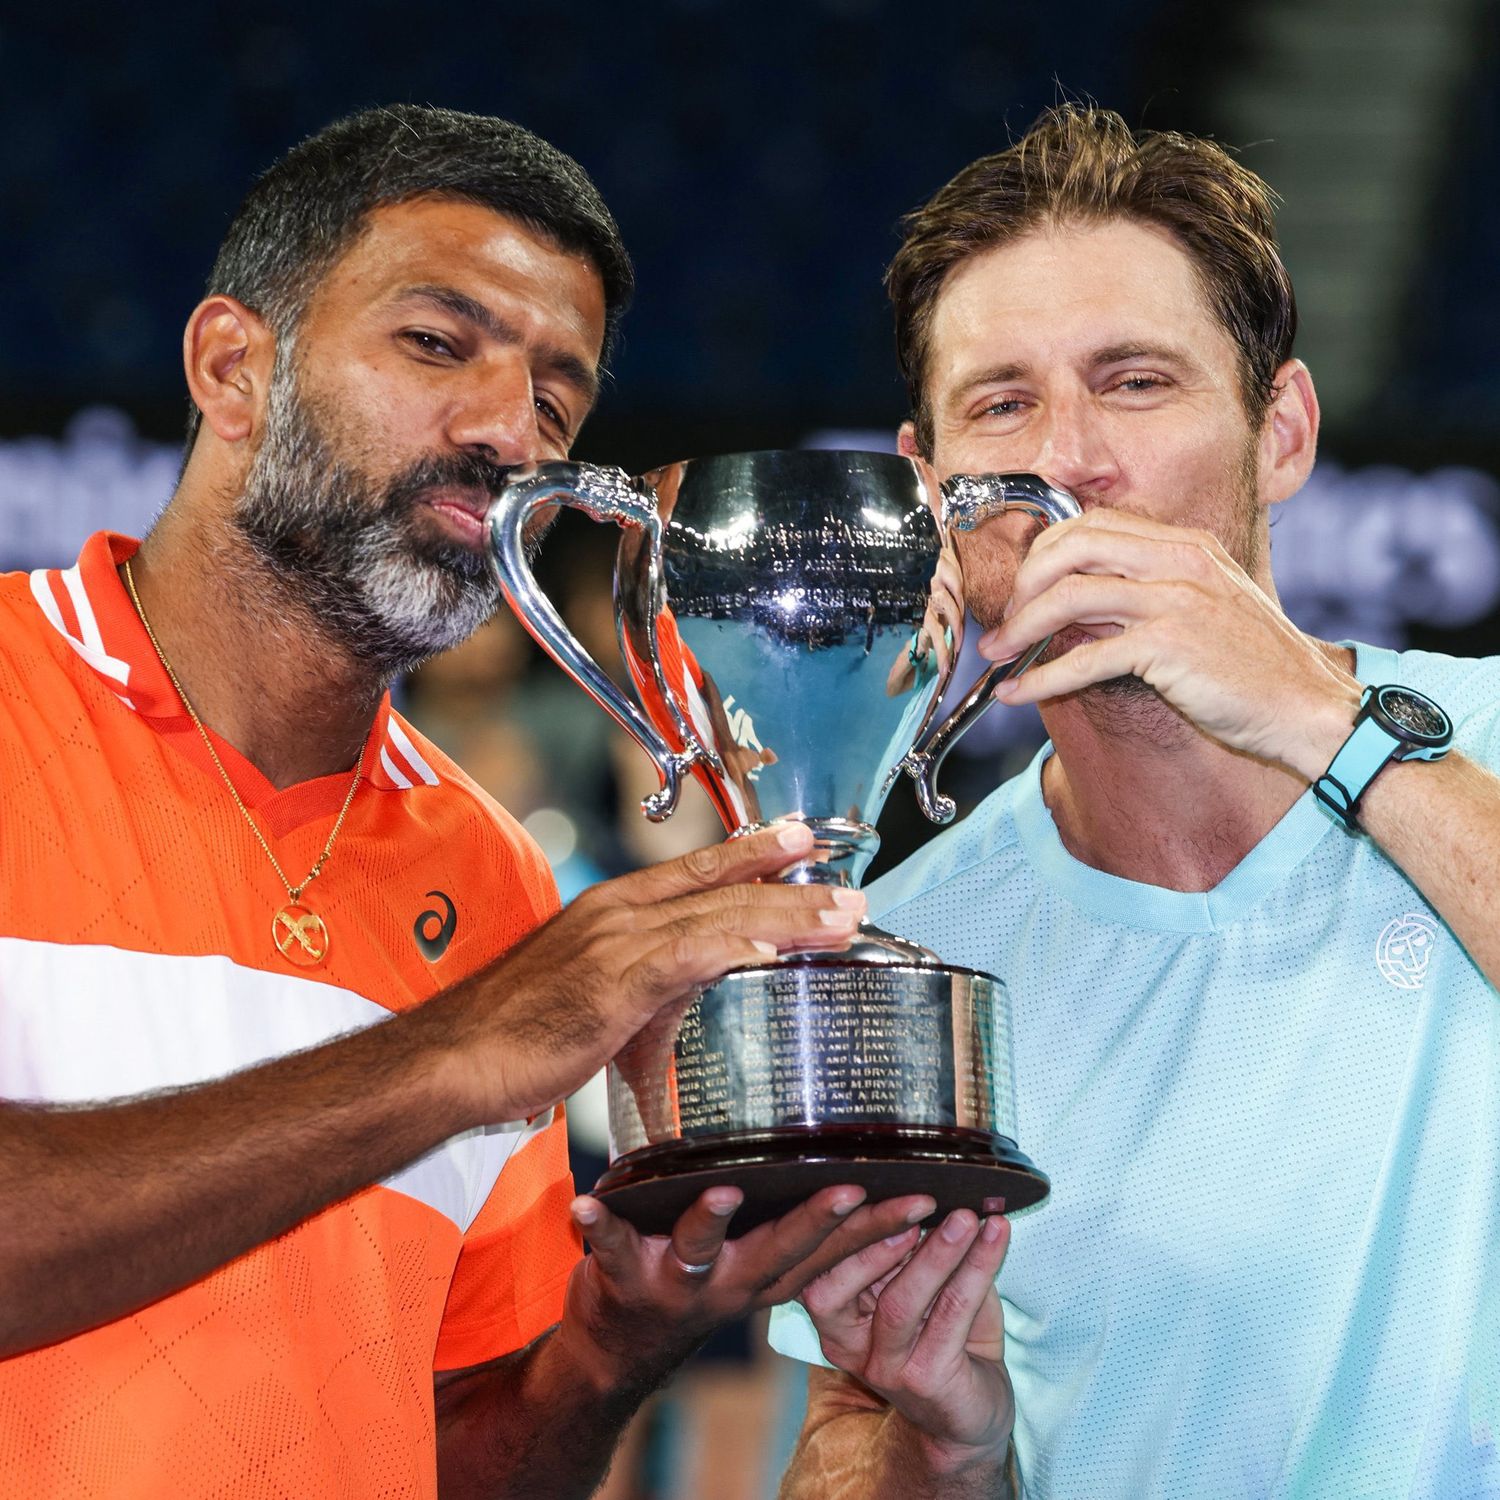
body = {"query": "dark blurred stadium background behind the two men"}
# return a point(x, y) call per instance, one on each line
point(758, 158)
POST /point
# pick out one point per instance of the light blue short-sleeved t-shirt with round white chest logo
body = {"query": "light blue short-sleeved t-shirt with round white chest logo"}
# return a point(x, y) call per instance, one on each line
point(1270, 1268)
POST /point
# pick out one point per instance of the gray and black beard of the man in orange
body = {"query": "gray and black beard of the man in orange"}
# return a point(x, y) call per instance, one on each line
point(353, 556)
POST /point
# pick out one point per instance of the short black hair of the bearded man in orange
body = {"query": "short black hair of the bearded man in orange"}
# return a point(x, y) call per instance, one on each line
point(313, 205)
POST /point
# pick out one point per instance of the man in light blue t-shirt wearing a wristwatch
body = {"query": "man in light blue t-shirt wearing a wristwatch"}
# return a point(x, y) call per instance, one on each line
point(1241, 904)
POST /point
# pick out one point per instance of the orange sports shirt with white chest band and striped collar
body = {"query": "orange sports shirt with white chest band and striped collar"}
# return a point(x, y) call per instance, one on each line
point(136, 955)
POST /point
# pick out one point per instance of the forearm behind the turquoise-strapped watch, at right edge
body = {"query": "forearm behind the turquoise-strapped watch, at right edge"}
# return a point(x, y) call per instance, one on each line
point(1441, 824)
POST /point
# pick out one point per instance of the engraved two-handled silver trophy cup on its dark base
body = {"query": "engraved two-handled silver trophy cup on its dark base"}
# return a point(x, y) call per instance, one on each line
point(773, 614)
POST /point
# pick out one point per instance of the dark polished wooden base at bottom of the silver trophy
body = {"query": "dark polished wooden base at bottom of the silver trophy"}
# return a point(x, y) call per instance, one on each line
point(778, 1169)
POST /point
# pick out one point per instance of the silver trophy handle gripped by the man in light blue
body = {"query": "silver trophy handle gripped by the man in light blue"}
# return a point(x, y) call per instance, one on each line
point(968, 500)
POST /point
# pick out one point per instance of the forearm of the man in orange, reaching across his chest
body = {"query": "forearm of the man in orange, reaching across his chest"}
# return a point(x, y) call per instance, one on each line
point(107, 1208)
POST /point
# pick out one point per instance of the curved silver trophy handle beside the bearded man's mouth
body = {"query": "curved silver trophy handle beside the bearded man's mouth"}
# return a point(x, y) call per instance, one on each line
point(602, 494)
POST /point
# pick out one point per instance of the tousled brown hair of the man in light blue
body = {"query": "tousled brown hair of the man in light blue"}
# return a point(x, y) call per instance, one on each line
point(1079, 164)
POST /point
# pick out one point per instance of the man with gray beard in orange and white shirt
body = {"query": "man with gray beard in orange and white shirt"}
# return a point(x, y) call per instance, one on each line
point(287, 1010)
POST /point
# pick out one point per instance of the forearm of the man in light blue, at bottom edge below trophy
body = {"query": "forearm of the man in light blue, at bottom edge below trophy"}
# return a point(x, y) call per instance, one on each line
point(880, 1456)
